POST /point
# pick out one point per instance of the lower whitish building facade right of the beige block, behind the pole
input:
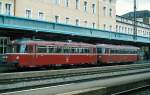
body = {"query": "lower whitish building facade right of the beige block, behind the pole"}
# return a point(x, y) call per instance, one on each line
point(124, 25)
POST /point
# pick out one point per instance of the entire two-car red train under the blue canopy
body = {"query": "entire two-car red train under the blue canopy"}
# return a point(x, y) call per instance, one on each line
point(42, 53)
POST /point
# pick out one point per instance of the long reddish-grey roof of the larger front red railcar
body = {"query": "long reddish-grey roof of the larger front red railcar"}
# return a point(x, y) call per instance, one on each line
point(53, 43)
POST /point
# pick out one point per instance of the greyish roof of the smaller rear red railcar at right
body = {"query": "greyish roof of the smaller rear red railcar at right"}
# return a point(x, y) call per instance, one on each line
point(117, 46)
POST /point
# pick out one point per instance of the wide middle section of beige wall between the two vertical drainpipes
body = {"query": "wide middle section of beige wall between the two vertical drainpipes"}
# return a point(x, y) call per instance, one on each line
point(50, 10)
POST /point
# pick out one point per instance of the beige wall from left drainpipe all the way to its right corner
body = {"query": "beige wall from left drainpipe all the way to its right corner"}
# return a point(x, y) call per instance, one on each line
point(70, 14)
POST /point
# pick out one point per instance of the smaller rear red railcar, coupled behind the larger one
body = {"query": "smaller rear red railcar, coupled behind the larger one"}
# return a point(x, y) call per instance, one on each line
point(117, 54)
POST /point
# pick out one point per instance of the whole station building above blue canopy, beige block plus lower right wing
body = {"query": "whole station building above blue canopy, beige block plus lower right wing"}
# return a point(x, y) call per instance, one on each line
point(98, 14)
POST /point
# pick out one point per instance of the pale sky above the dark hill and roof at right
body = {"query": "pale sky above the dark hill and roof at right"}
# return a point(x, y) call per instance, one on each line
point(124, 6)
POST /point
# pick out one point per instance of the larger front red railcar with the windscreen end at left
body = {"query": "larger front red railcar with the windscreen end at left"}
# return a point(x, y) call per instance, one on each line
point(42, 53)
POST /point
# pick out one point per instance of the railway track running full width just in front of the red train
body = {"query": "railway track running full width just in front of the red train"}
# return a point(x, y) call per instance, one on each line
point(25, 80)
